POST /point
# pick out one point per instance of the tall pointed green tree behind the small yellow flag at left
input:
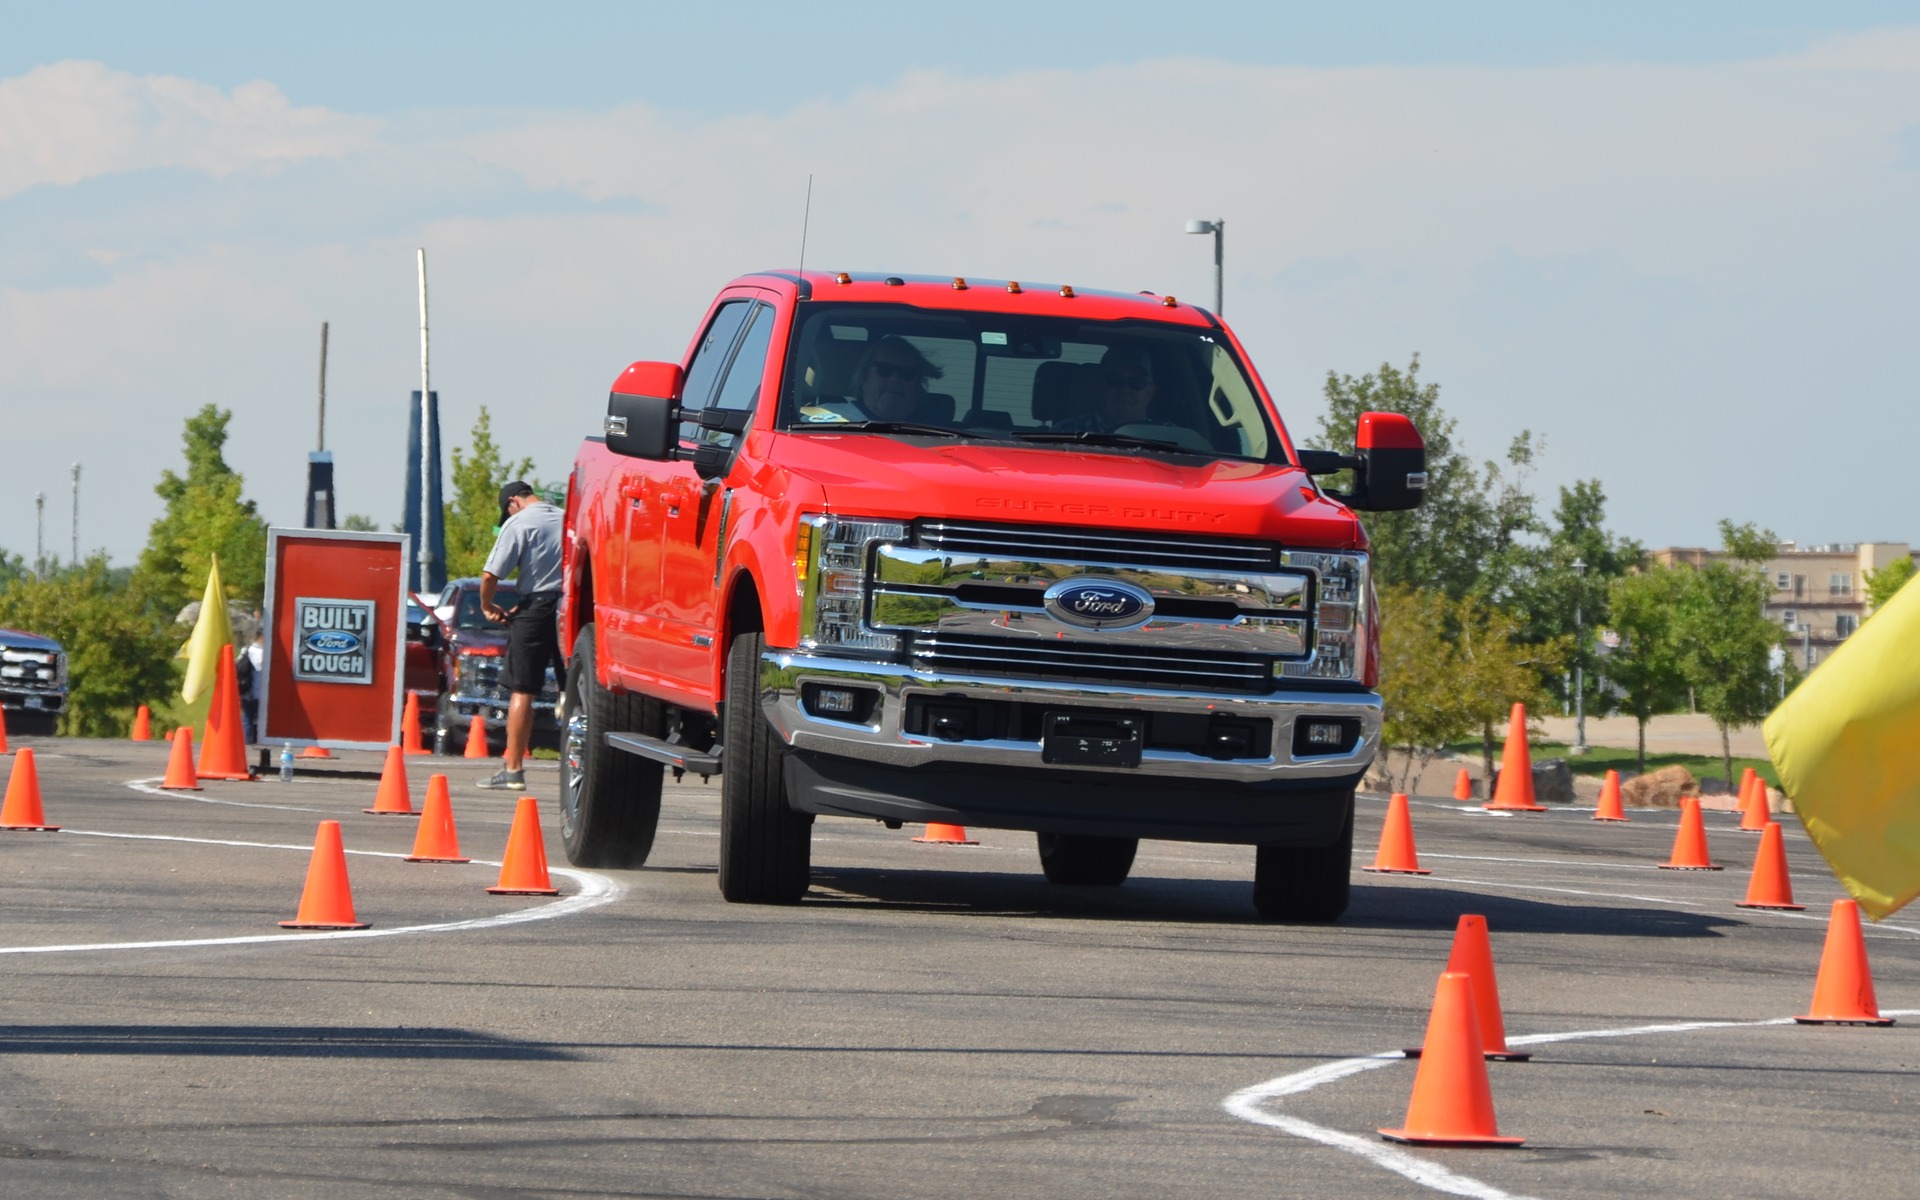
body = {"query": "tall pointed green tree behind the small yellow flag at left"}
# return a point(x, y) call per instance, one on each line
point(204, 516)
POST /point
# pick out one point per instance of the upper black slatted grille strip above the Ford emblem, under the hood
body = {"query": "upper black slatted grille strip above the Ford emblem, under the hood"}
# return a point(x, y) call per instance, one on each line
point(1103, 548)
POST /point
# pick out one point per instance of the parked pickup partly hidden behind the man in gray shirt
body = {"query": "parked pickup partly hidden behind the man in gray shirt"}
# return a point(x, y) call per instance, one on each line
point(471, 654)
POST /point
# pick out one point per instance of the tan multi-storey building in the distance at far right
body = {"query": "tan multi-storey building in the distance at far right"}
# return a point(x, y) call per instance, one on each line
point(1815, 592)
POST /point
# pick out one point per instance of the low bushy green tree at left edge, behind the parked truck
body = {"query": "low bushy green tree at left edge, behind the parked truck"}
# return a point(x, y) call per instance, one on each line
point(120, 654)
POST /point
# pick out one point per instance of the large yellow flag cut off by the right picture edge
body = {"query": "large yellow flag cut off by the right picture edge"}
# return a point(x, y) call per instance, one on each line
point(1848, 750)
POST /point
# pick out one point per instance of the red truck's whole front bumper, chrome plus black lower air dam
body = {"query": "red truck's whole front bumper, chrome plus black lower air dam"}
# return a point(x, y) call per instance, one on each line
point(1262, 796)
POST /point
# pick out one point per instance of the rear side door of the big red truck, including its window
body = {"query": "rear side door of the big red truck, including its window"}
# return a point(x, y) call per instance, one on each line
point(650, 492)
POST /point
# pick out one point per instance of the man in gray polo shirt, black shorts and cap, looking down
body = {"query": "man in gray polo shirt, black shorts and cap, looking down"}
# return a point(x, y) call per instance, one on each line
point(529, 542)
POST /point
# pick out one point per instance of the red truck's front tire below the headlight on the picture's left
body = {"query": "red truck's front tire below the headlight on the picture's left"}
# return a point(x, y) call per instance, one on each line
point(765, 846)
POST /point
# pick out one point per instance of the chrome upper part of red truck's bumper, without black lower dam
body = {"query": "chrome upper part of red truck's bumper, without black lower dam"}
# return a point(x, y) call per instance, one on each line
point(884, 744)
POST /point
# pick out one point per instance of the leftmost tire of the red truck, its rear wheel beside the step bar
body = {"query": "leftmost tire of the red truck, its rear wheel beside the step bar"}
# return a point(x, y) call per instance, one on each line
point(610, 800)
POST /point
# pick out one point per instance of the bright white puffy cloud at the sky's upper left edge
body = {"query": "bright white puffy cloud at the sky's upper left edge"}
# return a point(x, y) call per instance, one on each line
point(76, 120)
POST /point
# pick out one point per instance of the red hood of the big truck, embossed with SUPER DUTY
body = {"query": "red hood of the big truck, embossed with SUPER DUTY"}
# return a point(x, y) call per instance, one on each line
point(873, 475)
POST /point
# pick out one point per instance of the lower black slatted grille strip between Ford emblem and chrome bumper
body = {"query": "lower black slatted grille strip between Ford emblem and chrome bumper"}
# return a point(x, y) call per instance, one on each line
point(1084, 663)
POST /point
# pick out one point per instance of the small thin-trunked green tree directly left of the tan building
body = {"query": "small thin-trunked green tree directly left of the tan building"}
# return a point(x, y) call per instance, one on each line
point(1727, 638)
